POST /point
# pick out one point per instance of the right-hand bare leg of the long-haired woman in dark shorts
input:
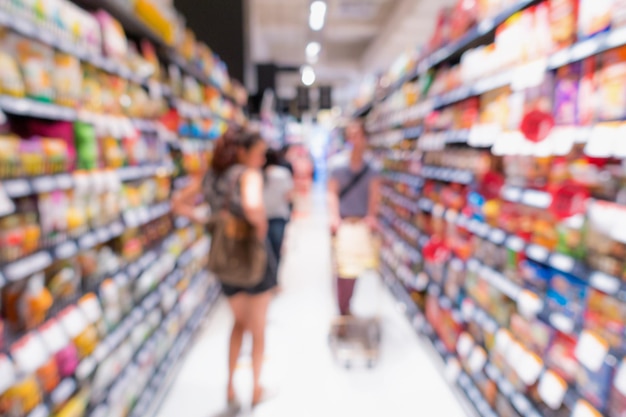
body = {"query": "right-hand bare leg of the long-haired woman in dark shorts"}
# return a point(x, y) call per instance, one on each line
point(257, 322)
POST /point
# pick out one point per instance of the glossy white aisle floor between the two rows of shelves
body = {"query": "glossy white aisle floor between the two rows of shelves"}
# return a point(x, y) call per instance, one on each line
point(299, 365)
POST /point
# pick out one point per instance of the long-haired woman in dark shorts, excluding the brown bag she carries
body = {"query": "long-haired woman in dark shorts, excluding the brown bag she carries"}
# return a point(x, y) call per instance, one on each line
point(234, 183)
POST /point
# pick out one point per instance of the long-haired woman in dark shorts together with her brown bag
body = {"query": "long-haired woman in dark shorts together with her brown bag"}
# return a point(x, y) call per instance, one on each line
point(233, 188)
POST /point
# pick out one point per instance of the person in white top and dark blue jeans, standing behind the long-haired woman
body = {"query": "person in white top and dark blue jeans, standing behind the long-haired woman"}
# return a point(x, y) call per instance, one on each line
point(277, 195)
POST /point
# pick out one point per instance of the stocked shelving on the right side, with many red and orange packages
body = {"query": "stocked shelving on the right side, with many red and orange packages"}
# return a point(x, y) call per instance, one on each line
point(505, 299)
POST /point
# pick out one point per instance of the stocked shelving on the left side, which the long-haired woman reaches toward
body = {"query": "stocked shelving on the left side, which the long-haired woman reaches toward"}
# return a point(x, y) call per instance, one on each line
point(148, 302)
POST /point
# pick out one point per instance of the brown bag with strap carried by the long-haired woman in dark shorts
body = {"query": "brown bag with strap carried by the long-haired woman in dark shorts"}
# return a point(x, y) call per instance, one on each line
point(237, 256)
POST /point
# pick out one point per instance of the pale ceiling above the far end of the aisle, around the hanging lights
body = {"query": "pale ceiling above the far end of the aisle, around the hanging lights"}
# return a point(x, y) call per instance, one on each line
point(360, 37)
